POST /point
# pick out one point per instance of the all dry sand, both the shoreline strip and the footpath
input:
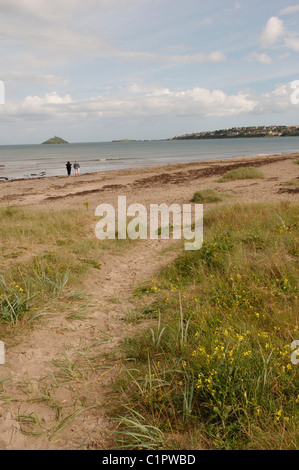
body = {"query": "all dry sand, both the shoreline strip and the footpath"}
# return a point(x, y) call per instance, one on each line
point(29, 364)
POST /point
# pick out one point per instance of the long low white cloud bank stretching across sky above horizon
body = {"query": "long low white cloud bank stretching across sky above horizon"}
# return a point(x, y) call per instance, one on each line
point(144, 102)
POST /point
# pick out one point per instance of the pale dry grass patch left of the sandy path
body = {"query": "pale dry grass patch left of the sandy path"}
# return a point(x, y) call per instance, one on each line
point(45, 253)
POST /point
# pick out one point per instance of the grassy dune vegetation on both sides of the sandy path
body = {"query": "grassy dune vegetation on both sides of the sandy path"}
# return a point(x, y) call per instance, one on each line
point(208, 362)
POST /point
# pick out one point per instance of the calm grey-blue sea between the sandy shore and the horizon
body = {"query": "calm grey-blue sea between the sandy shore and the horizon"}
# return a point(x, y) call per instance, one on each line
point(29, 161)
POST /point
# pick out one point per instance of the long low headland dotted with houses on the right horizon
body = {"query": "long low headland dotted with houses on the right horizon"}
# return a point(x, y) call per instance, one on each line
point(241, 132)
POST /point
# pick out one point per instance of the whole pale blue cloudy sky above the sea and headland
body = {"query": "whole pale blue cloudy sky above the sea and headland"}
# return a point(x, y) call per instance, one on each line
point(102, 70)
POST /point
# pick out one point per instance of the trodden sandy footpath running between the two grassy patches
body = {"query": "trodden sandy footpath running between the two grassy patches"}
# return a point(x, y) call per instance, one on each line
point(44, 394)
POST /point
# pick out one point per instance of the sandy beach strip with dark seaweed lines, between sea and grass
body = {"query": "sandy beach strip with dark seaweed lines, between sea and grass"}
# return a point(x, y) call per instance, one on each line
point(156, 184)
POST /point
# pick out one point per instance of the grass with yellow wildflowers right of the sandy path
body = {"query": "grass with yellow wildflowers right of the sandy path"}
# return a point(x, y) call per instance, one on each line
point(214, 369)
